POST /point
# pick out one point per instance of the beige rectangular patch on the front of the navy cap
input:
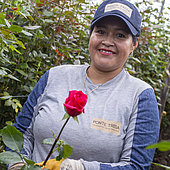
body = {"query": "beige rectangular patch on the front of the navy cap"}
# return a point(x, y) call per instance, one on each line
point(120, 7)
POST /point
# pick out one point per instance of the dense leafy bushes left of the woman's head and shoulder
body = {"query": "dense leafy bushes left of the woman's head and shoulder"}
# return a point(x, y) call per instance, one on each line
point(35, 36)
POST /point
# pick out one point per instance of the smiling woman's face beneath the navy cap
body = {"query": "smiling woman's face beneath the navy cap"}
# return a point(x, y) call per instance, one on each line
point(110, 45)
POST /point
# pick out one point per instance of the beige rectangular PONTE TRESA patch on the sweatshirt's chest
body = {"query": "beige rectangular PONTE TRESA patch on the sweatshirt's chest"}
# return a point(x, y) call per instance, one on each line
point(106, 126)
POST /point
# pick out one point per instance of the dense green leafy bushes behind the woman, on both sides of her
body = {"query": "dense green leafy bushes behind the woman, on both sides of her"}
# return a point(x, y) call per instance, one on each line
point(37, 35)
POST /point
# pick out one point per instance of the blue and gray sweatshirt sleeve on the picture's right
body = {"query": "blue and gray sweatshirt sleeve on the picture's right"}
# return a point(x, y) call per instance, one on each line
point(143, 130)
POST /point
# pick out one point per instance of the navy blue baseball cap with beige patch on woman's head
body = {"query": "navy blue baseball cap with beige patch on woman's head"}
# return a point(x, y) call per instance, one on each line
point(120, 8)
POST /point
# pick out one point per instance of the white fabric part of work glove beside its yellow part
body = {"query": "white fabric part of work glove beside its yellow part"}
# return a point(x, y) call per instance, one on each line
point(70, 164)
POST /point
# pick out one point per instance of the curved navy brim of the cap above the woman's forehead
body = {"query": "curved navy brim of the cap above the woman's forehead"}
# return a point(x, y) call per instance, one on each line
point(130, 26)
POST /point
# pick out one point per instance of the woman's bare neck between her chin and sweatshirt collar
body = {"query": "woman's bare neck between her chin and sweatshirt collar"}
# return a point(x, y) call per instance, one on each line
point(100, 77)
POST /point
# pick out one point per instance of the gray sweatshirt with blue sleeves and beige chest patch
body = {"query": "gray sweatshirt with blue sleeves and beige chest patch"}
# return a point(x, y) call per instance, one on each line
point(121, 118)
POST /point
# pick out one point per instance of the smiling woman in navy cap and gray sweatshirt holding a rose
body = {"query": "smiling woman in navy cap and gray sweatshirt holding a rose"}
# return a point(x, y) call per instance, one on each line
point(121, 116)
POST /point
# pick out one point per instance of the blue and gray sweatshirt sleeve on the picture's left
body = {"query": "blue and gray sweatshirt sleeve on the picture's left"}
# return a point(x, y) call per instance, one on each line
point(25, 117)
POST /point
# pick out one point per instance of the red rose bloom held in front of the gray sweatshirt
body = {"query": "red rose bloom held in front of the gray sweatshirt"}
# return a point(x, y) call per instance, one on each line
point(75, 103)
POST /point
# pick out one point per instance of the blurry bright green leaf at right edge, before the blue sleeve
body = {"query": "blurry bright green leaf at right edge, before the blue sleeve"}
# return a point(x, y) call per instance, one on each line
point(162, 146)
